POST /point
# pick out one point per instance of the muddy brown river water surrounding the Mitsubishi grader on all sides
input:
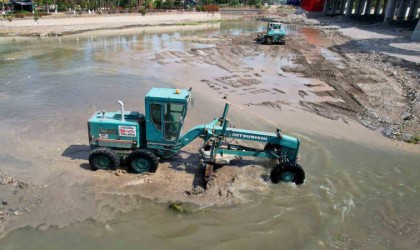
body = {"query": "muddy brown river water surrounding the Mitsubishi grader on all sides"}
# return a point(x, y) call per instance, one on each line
point(356, 195)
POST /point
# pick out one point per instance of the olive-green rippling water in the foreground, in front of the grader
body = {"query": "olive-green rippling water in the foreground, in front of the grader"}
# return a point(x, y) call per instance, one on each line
point(354, 197)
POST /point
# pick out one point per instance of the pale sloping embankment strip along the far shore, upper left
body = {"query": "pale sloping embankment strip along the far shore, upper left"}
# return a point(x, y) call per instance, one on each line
point(59, 26)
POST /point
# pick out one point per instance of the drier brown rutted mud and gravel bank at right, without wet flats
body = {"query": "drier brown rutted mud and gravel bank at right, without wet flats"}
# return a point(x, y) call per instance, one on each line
point(375, 89)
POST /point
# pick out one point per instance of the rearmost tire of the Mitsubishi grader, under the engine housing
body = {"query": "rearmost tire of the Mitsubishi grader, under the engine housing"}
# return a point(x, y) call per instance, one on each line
point(104, 158)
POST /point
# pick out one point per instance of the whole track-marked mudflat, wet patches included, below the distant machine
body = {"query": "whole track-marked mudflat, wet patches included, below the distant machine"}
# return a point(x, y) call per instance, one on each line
point(350, 85)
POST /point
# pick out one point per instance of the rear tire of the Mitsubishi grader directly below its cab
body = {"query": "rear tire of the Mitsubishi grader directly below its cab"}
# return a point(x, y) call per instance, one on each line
point(142, 161)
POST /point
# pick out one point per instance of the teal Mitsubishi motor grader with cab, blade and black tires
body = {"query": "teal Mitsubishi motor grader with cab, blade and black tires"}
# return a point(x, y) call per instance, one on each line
point(140, 139)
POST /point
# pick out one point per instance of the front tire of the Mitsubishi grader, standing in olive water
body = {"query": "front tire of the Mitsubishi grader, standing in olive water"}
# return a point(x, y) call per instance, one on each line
point(287, 172)
